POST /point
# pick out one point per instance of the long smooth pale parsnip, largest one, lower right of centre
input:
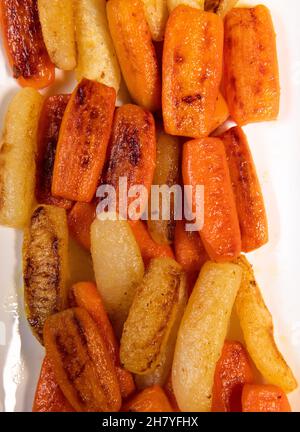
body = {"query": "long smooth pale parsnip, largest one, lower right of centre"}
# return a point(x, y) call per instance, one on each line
point(202, 333)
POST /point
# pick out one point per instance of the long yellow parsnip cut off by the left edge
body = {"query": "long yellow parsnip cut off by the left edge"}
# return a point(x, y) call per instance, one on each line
point(17, 153)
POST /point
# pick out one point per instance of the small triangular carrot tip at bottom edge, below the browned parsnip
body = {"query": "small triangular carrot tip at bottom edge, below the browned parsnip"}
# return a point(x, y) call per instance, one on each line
point(152, 399)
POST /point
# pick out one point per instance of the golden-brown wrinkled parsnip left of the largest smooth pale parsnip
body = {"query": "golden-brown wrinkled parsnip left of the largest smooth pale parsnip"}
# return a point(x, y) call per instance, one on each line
point(151, 327)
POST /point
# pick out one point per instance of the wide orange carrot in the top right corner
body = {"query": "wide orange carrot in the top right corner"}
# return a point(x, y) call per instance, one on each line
point(251, 77)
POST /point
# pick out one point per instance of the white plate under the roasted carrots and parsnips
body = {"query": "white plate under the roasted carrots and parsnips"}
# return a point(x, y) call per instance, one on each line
point(276, 150)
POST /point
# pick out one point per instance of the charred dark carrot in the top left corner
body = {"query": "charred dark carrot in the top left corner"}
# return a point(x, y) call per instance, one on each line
point(24, 44)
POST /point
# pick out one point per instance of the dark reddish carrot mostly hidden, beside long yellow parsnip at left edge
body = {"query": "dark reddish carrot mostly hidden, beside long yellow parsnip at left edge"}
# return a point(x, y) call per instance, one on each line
point(48, 130)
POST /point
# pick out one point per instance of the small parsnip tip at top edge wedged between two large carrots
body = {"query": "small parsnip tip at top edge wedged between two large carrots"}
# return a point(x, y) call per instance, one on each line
point(156, 12)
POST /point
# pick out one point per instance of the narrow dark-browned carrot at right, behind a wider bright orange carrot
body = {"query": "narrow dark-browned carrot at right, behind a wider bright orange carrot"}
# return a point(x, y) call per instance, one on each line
point(246, 187)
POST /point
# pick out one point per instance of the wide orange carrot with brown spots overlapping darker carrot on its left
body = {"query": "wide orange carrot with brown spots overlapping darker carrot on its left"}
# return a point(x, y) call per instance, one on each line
point(83, 140)
